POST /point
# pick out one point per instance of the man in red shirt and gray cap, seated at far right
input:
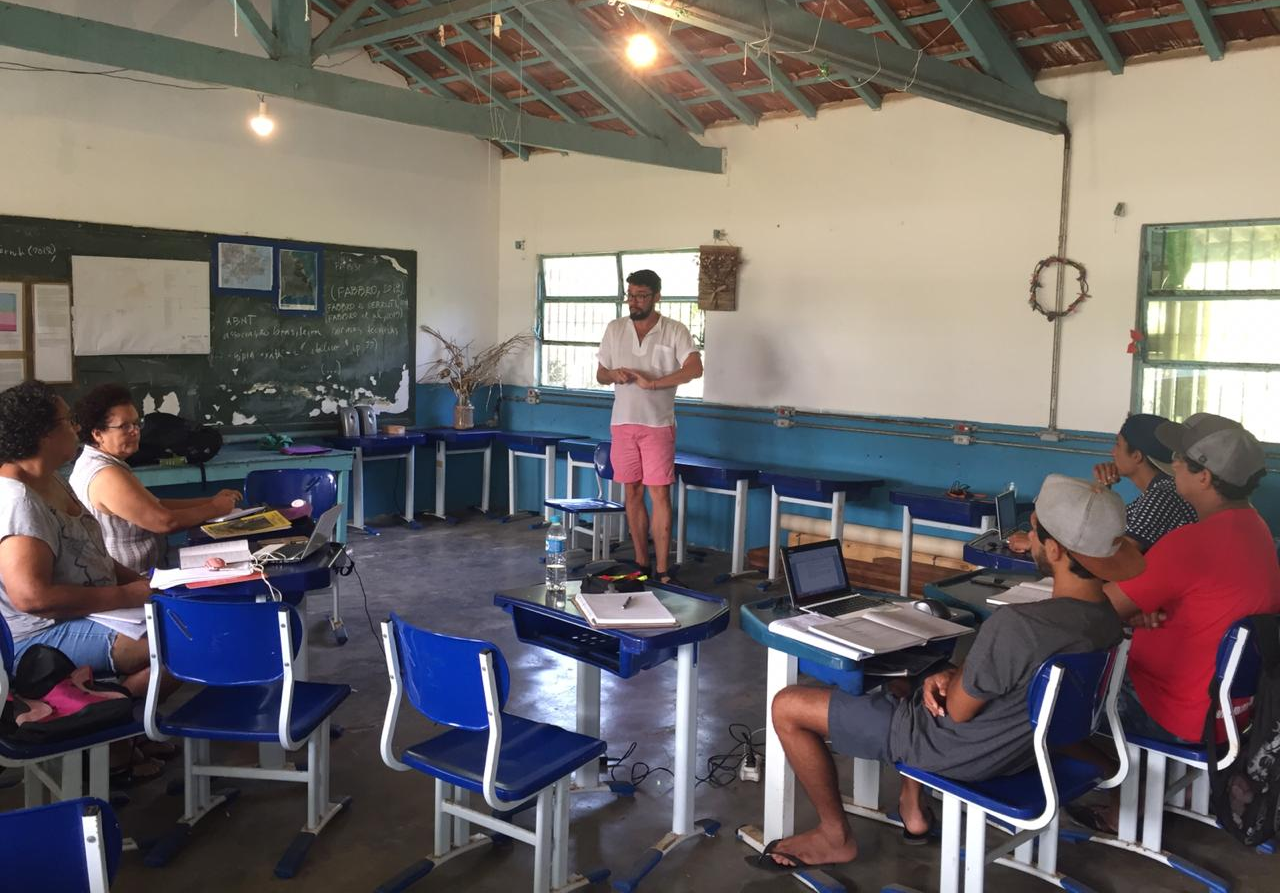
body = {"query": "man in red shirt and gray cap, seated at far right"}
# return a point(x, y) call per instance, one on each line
point(1200, 579)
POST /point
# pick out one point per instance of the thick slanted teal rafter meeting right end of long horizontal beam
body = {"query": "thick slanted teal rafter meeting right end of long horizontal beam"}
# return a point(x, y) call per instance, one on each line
point(565, 29)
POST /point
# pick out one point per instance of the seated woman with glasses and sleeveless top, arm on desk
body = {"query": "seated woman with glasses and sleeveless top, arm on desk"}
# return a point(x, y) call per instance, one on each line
point(135, 523)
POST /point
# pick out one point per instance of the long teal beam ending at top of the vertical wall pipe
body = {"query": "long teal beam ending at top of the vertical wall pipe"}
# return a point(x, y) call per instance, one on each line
point(792, 30)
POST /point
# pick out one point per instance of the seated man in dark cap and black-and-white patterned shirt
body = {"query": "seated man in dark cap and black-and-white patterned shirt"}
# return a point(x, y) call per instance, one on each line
point(1139, 456)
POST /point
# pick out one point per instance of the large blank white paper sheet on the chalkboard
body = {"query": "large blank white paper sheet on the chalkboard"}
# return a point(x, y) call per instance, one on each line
point(130, 305)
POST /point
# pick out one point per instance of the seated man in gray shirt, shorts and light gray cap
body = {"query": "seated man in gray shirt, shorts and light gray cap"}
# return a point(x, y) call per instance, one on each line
point(968, 723)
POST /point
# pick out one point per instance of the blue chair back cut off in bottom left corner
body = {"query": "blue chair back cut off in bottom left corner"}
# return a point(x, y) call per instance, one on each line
point(68, 848)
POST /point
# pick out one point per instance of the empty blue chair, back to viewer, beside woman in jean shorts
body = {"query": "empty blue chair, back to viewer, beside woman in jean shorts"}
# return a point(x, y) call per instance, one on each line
point(244, 654)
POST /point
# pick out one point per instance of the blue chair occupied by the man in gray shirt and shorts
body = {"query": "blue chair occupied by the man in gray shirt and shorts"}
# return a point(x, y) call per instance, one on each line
point(1066, 704)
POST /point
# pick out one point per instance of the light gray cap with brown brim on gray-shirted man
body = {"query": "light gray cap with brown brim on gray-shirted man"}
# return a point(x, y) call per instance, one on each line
point(1090, 523)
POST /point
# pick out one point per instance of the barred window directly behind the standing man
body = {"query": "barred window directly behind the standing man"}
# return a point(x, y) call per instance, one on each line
point(580, 295)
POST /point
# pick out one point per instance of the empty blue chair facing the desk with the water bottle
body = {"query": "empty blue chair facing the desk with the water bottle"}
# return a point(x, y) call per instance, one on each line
point(464, 684)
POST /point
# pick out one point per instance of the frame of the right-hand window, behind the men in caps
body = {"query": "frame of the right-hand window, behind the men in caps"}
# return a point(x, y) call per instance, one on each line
point(1146, 295)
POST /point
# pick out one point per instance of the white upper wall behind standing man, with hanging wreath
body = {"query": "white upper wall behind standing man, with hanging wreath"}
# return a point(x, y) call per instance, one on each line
point(888, 255)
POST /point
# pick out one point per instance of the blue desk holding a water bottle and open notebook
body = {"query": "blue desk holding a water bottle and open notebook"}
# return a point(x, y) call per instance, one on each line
point(557, 626)
